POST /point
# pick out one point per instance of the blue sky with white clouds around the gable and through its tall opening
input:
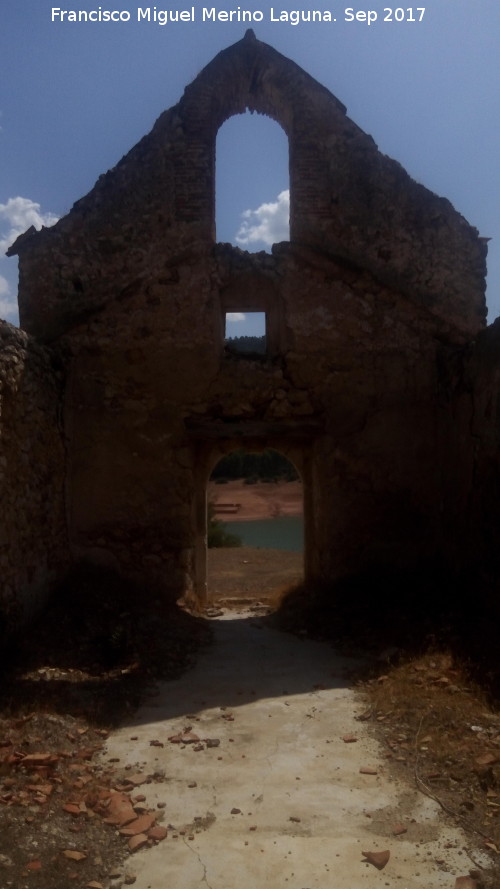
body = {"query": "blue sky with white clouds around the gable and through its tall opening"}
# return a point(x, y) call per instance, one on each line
point(75, 97)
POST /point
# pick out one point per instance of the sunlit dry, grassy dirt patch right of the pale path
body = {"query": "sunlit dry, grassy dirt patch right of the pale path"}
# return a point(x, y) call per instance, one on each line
point(442, 735)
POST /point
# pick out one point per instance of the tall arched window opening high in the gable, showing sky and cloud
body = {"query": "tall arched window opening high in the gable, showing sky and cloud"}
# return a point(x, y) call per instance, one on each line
point(252, 183)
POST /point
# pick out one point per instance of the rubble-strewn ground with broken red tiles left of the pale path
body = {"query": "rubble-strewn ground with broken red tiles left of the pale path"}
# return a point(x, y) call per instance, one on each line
point(58, 796)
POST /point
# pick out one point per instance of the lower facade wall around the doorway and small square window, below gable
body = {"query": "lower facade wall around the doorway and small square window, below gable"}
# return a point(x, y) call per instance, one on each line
point(352, 389)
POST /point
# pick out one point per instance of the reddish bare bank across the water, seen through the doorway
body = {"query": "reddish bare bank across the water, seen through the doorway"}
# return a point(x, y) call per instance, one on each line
point(236, 501)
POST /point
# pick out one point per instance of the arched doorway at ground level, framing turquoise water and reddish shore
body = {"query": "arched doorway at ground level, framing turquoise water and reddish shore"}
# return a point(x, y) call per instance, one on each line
point(255, 526)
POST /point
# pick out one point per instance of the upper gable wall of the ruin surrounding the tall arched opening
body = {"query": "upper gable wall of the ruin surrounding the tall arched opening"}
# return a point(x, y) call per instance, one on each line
point(347, 200)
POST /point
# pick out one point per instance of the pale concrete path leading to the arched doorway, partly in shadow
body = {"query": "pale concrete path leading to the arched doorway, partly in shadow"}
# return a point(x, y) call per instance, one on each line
point(280, 802)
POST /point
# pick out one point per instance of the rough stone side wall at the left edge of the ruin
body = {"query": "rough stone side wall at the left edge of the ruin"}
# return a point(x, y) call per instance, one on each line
point(33, 537)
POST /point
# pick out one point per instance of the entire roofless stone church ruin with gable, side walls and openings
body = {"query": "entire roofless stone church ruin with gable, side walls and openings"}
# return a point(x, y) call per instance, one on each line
point(380, 380)
